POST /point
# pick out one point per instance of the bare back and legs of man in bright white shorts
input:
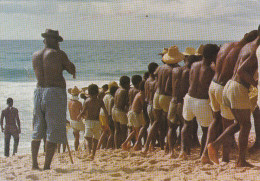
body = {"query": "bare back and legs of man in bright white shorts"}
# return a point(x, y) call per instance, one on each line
point(200, 77)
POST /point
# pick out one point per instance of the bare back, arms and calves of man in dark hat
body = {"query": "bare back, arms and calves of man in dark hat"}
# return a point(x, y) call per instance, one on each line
point(48, 65)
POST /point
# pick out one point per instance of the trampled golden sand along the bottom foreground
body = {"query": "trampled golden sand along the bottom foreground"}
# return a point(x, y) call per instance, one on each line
point(127, 165)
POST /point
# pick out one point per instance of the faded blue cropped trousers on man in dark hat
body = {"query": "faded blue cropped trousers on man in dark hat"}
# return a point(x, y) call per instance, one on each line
point(49, 114)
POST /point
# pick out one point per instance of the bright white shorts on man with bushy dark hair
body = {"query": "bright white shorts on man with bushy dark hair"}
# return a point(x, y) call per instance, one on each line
point(199, 108)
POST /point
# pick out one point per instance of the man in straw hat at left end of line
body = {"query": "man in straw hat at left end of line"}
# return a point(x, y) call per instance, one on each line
point(75, 107)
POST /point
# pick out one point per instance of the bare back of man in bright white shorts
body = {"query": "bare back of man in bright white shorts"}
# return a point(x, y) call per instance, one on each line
point(200, 79)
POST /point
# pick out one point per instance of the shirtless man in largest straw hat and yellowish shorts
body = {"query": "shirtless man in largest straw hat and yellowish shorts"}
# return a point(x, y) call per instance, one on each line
point(162, 96)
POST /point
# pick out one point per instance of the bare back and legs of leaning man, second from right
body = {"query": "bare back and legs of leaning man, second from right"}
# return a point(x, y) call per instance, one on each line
point(225, 64)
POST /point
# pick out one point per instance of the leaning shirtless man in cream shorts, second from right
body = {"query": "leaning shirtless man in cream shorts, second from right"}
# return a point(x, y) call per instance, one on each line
point(225, 63)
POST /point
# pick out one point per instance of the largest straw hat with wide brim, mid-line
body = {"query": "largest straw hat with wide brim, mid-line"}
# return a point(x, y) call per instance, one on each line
point(173, 56)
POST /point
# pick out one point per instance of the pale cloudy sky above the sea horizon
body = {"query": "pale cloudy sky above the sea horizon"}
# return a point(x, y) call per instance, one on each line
point(129, 19)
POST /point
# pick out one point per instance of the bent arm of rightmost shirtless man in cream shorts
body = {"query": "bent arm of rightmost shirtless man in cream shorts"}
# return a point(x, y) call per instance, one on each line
point(249, 65)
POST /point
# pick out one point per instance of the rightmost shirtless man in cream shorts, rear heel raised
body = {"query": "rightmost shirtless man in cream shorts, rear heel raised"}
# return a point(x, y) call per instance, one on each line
point(235, 96)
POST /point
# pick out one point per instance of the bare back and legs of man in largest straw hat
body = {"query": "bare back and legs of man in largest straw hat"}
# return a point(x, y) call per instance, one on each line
point(164, 76)
